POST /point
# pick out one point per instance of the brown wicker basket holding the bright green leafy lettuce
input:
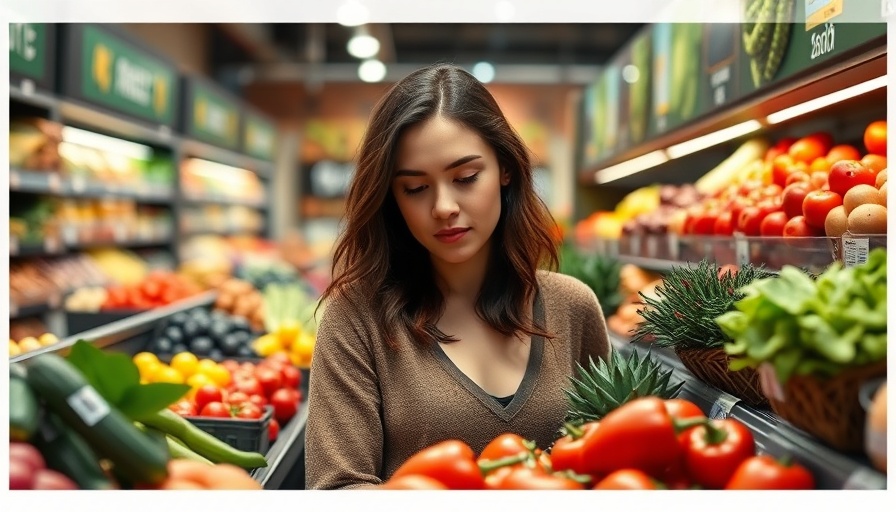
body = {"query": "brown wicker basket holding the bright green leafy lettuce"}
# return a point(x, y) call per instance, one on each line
point(829, 408)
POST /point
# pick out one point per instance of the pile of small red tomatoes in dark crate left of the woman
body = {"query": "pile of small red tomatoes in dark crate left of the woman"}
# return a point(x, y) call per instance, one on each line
point(272, 381)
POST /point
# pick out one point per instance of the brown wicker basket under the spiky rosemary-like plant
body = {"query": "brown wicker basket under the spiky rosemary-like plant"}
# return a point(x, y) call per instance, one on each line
point(711, 366)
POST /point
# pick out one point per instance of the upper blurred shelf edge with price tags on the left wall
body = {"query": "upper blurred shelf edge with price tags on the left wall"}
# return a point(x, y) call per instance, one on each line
point(51, 183)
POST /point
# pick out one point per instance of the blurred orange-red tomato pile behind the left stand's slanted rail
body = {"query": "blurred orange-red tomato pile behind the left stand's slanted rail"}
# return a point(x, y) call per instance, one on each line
point(159, 288)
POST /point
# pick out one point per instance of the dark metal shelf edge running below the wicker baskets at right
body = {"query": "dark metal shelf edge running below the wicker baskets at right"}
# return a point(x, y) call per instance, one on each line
point(773, 435)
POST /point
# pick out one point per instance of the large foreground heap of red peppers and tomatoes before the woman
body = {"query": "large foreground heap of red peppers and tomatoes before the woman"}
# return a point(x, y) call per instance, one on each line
point(647, 443)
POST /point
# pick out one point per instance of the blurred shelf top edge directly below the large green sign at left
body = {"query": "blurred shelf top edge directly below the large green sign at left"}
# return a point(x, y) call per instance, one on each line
point(99, 119)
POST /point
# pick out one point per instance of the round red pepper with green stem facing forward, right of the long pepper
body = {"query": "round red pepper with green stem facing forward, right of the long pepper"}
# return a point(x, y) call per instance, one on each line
point(712, 452)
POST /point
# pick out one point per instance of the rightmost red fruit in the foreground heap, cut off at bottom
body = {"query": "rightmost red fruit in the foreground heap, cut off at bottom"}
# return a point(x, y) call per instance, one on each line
point(764, 472)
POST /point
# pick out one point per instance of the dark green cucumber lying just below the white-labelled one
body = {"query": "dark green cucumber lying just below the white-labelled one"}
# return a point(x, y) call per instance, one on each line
point(65, 451)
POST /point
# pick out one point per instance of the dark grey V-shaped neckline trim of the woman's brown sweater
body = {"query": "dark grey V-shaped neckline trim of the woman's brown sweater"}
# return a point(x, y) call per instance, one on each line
point(527, 385)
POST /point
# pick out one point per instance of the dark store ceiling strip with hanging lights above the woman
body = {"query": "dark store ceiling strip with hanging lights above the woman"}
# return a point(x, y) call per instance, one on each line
point(284, 46)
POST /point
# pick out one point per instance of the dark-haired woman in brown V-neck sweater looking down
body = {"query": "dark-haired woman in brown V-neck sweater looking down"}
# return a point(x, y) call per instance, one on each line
point(441, 321)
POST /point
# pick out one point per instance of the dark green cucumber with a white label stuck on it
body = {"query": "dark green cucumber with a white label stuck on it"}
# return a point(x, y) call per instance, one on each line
point(108, 432)
